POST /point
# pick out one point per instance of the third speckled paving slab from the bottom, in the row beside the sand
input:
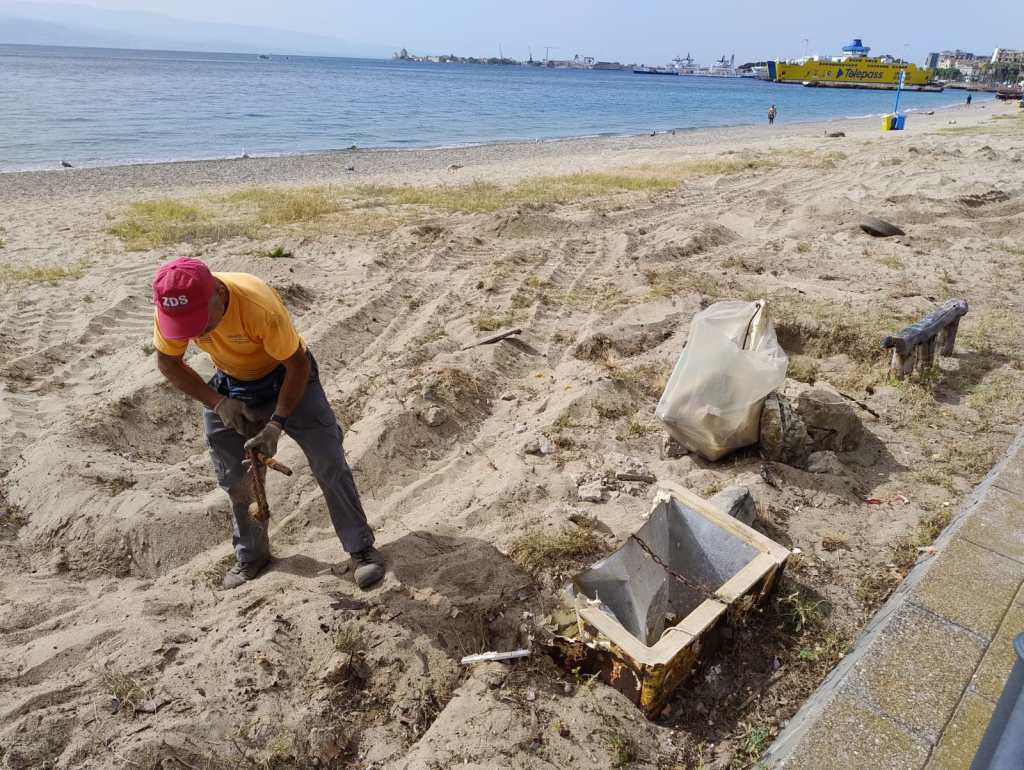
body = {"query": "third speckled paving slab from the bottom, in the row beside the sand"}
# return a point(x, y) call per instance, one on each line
point(970, 586)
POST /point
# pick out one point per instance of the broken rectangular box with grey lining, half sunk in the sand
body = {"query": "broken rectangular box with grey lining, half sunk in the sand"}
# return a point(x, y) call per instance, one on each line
point(643, 626)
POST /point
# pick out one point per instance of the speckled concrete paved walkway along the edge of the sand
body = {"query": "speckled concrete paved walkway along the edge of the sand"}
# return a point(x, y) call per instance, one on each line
point(921, 685)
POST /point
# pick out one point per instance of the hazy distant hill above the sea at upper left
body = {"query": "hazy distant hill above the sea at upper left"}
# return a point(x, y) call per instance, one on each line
point(61, 24)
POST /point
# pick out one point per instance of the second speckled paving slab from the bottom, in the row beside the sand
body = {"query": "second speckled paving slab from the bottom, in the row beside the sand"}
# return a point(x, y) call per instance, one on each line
point(917, 670)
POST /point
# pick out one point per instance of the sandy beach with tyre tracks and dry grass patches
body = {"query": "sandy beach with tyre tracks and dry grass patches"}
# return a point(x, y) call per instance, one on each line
point(119, 651)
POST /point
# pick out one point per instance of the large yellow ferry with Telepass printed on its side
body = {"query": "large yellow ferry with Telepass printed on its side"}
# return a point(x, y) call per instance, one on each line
point(854, 70)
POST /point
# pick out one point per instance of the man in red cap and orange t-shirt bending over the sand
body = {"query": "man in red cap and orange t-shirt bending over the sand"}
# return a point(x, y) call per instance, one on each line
point(267, 384)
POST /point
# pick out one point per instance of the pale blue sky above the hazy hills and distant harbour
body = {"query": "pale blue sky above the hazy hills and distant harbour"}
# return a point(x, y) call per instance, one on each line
point(638, 31)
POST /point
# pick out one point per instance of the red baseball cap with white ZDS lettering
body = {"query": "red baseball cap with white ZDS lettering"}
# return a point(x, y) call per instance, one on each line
point(182, 292)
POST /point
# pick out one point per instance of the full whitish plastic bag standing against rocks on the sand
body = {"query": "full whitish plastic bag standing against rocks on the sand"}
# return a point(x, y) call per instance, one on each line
point(732, 363)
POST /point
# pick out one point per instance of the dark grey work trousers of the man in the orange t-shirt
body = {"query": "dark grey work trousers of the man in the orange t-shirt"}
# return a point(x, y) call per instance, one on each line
point(315, 429)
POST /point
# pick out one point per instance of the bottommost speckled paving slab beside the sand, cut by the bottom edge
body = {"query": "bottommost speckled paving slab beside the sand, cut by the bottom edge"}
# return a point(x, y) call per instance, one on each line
point(852, 737)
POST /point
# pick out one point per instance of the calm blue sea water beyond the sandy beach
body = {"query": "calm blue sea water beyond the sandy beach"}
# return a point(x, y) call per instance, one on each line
point(97, 107)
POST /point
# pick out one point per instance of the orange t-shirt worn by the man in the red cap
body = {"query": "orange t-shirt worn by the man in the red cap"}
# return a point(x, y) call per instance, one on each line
point(253, 338)
